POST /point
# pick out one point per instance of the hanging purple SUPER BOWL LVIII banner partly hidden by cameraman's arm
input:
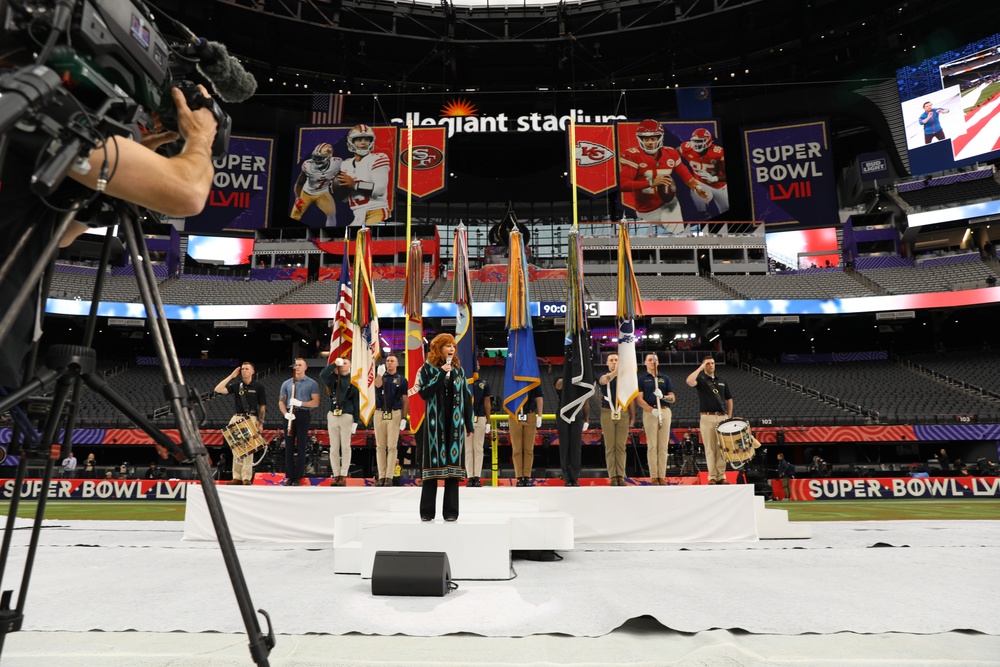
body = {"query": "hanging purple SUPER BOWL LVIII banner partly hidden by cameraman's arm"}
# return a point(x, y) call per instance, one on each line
point(240, 199)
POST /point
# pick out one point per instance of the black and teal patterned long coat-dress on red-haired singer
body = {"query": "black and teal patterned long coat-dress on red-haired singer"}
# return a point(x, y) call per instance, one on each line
point(447, 419)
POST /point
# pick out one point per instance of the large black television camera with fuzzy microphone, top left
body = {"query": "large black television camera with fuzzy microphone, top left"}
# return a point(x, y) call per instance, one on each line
point(102, 68)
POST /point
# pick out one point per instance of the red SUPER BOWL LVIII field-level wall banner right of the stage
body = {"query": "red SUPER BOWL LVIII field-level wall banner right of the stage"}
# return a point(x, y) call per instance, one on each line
point(864, 488)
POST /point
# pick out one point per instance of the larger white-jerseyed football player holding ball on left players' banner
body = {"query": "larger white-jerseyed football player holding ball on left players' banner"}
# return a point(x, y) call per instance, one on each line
point(364, 179)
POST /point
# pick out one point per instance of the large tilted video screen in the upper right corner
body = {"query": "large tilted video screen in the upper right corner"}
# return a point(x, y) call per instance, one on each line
point(951, 107)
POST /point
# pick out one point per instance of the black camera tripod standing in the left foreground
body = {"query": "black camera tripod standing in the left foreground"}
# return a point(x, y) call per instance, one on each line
point(67, 368)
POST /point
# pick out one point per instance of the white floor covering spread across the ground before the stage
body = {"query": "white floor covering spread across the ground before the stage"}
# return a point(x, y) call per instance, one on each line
point(857, 593)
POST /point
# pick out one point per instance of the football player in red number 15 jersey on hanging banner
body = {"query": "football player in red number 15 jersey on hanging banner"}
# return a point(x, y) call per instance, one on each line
point(647, 171)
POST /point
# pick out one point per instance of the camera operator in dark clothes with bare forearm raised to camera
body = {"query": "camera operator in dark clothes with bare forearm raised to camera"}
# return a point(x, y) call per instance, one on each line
point(177, 186)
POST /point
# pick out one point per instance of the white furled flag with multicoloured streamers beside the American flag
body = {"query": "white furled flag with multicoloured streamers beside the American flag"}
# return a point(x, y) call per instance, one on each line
point(365, 347)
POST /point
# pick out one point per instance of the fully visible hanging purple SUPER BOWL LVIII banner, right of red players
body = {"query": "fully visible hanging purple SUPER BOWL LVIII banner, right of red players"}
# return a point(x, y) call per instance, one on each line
point(790, 168)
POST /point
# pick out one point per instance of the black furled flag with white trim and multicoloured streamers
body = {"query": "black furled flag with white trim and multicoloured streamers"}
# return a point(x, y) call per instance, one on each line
point(578, 369)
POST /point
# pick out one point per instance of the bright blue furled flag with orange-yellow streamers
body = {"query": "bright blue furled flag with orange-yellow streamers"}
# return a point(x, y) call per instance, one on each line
point(521, 371)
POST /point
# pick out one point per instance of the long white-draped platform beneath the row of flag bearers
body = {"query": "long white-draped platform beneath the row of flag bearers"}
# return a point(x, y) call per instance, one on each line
point(643, 515)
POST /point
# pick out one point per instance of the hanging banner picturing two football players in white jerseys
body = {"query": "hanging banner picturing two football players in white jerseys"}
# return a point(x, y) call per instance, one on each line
point(364, 153)
